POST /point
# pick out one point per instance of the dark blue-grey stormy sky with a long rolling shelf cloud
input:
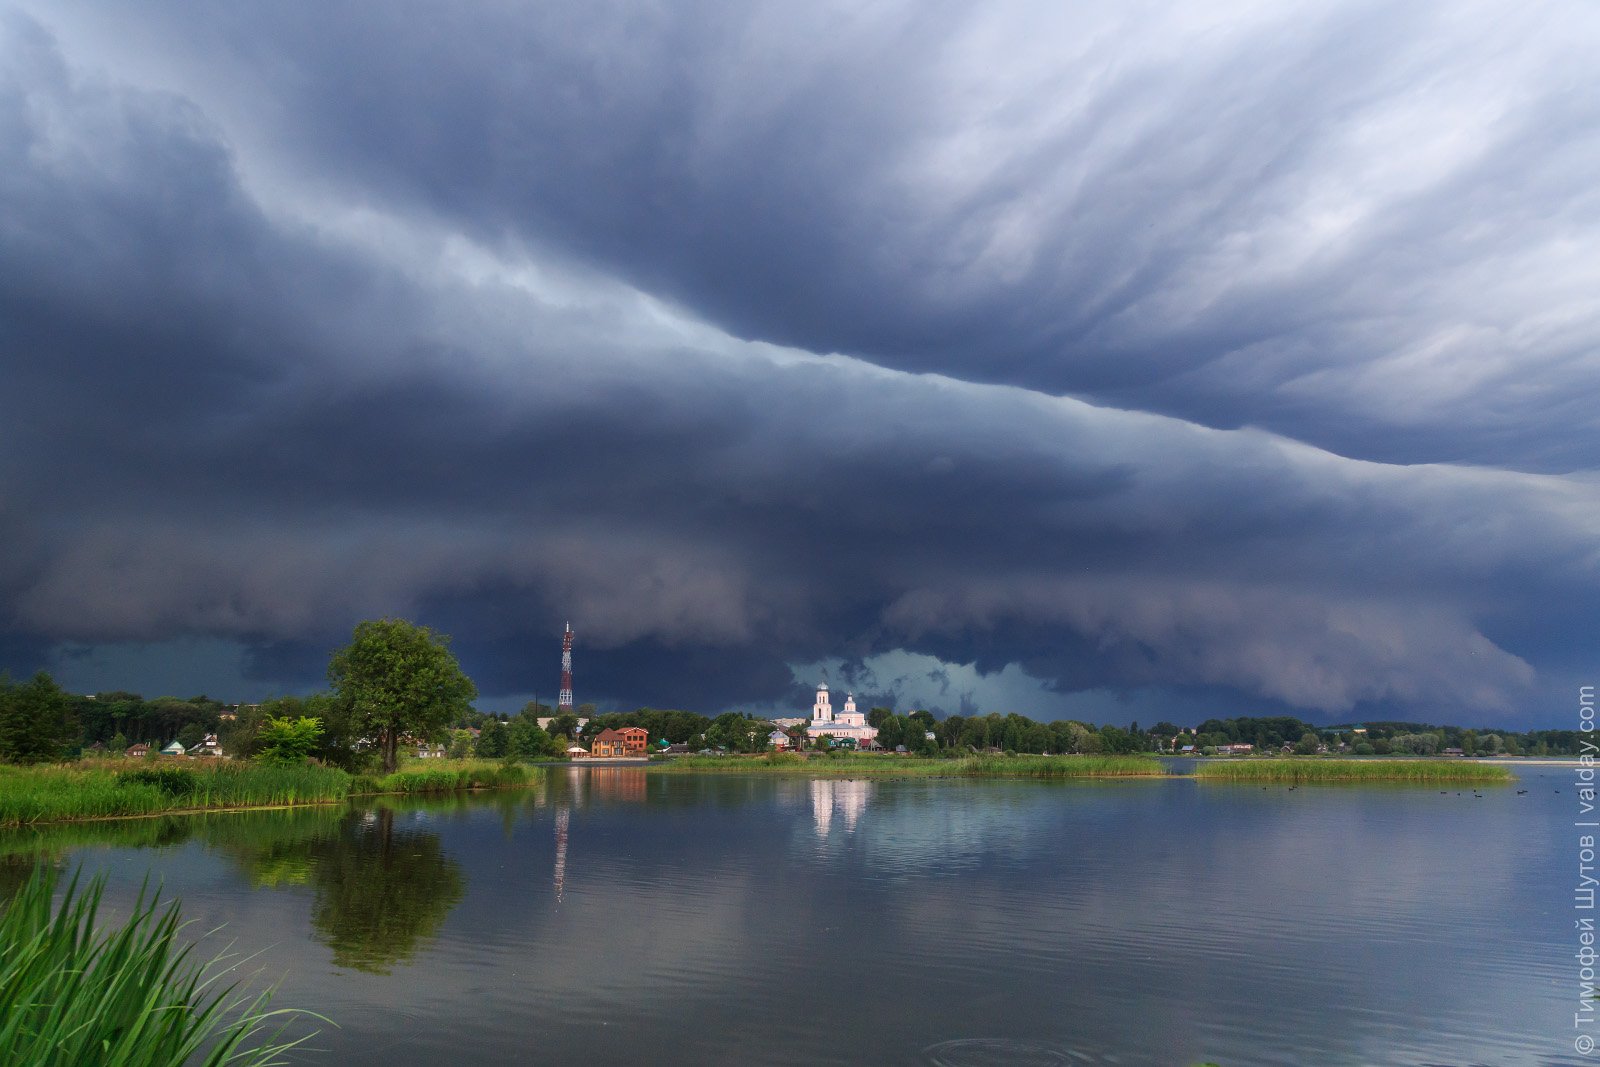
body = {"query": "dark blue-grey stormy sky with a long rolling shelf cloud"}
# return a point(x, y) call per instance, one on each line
point(1114, 361)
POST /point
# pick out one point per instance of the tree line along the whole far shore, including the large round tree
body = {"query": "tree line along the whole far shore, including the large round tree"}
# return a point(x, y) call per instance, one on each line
point(398, 684)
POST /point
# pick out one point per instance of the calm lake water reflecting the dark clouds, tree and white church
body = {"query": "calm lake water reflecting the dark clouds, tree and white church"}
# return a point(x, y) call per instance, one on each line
point(610, 916)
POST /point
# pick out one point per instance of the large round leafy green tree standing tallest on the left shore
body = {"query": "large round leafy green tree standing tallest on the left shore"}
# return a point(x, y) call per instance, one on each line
point(399, 679)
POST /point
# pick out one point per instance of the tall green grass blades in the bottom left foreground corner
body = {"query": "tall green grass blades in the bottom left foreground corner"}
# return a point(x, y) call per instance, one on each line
point(126, 997)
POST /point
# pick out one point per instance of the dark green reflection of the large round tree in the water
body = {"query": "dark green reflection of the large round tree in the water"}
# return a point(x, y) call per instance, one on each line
point(382, 890)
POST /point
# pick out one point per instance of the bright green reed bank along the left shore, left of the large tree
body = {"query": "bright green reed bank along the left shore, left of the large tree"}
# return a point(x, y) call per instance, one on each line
point(55, 794)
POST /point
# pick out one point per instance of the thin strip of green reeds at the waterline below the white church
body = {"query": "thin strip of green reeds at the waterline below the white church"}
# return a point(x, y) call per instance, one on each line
point(870, 765)
